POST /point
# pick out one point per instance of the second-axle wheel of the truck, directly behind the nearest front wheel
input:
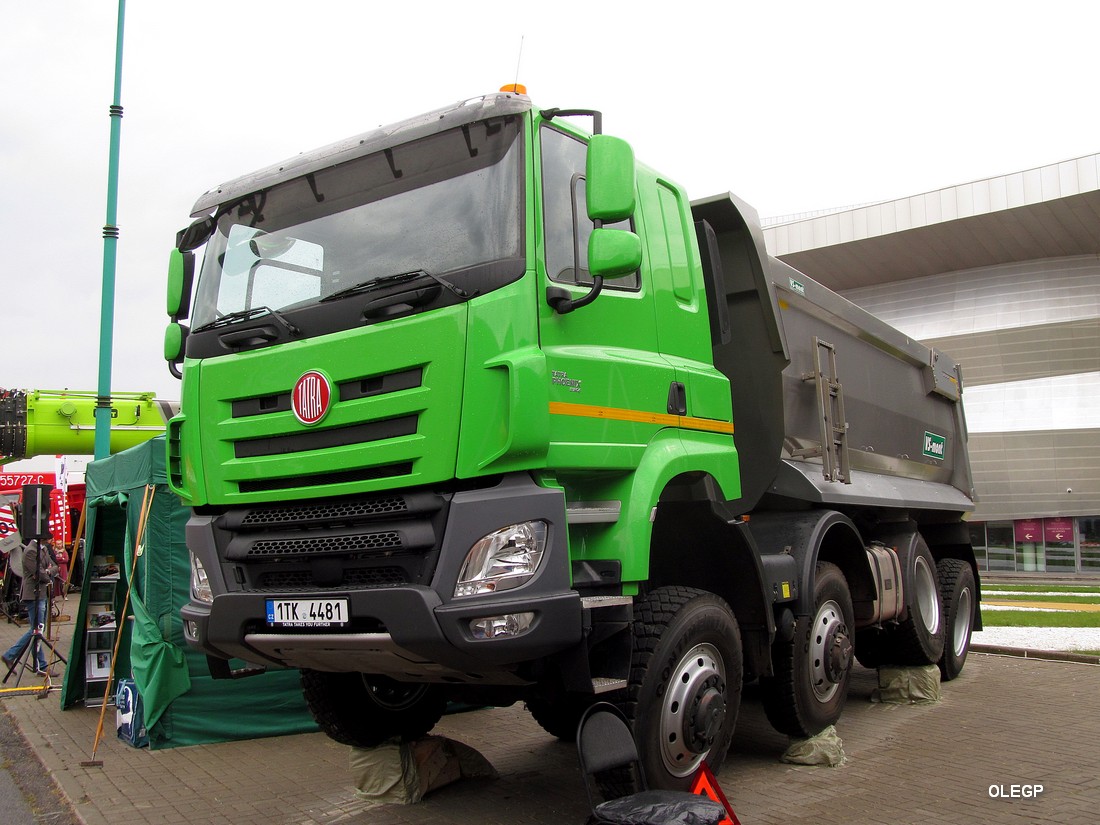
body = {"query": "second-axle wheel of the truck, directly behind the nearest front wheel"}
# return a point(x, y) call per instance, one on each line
point(810, 686)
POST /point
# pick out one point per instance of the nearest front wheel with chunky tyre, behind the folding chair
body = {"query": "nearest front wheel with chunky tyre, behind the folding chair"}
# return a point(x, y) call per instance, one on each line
point(686, 684)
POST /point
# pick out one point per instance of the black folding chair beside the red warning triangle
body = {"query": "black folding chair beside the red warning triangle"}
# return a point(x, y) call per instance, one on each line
point(604, 743)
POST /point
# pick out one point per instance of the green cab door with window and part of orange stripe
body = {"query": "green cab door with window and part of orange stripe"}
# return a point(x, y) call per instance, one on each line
point(609, 384)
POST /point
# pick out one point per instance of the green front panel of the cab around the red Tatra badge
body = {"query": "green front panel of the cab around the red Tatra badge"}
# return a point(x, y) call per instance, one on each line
point(433, 343)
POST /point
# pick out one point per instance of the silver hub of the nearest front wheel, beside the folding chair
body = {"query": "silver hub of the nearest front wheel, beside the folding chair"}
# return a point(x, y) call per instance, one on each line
point(694, 710)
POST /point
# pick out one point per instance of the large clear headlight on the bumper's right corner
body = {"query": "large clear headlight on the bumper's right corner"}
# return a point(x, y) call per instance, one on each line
point(503, 560)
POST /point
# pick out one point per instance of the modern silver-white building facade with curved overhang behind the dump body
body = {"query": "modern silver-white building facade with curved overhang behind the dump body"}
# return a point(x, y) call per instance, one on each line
point(1004, 276)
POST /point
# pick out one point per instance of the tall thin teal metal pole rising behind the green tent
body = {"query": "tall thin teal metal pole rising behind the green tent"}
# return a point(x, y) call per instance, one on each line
point(103, 445)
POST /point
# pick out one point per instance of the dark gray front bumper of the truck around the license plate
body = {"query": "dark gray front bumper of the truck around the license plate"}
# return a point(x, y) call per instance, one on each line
point(412, 632)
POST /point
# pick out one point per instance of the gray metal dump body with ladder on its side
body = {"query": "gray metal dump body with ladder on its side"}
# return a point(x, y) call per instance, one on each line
point(831, 405)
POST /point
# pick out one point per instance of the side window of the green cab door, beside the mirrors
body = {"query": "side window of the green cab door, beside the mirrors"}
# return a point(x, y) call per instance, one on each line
point(565, 216)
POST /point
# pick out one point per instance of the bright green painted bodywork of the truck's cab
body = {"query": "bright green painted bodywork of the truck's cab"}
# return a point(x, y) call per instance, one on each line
point(581, 400)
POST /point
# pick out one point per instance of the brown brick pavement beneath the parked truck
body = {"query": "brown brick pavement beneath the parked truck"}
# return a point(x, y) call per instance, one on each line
point(1005, 722)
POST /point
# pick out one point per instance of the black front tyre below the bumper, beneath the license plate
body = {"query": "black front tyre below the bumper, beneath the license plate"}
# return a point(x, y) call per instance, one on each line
point(366, 711)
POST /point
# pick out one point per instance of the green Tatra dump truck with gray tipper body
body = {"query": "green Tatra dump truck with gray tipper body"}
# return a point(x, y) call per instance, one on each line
point(478, 409)
